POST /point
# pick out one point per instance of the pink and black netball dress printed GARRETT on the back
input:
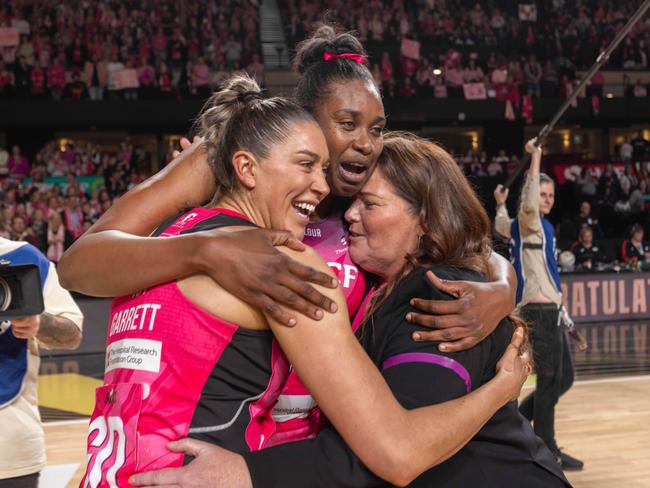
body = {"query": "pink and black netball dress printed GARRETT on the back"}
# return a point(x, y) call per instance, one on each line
point(173, 370)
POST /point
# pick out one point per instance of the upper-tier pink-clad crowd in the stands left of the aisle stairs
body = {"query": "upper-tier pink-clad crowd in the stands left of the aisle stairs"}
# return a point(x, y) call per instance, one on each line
point(125, 50)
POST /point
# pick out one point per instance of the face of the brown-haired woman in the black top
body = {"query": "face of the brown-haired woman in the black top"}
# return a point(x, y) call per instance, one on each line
point(383, 228)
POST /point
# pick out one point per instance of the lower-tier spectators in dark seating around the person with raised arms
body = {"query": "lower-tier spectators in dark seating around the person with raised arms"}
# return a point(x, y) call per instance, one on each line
point(606, 206)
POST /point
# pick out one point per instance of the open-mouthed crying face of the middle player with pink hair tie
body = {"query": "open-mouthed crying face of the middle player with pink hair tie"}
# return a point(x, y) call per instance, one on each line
point(352, 119)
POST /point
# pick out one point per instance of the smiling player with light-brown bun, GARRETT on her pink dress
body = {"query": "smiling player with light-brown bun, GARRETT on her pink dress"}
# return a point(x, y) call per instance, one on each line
point(188, 358)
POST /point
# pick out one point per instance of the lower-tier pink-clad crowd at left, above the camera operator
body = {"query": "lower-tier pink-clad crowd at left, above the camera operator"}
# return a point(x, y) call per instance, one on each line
point(51, 214)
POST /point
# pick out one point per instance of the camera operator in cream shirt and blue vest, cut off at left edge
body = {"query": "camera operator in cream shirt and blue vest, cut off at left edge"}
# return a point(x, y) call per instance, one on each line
point(22, 442)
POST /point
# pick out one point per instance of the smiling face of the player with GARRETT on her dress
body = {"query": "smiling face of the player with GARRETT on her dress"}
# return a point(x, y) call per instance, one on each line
point(290, 183)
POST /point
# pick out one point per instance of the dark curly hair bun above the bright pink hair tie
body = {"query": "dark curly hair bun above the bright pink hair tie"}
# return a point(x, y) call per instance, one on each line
point(325, 39)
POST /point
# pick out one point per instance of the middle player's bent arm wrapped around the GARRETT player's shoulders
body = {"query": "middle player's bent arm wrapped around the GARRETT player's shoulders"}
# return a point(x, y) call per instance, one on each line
point(114, 258)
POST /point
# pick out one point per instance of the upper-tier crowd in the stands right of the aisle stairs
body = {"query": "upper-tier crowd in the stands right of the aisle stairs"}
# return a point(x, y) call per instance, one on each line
point(488, 42)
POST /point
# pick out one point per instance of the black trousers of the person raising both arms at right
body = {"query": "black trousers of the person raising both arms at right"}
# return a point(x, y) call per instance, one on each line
point(554, 367)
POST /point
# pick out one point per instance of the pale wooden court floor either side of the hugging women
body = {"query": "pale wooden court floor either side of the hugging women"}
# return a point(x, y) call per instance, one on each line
point(604, 422)
